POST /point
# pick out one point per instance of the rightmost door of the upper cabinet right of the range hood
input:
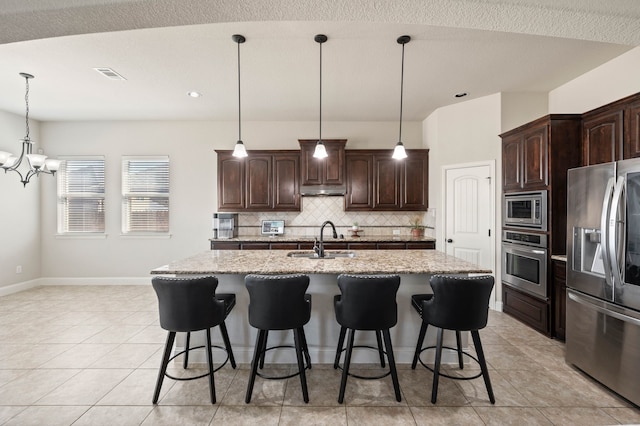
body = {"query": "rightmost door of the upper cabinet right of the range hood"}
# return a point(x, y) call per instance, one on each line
point(415, 182)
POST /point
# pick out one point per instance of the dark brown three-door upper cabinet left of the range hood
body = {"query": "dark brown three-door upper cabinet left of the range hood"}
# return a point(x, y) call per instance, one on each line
point(263, 181)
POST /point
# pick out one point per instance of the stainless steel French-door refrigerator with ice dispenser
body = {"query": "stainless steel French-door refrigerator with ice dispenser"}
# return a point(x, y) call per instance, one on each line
point(603, 274)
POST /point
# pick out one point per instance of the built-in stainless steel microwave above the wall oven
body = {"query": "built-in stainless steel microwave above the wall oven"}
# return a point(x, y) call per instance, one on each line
point(525, 209)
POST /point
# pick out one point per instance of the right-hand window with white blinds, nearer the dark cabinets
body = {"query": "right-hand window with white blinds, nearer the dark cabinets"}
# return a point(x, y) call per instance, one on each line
point(145, 195)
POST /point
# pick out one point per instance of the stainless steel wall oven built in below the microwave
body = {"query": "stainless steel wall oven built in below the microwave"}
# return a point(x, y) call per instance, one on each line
point(524, 261)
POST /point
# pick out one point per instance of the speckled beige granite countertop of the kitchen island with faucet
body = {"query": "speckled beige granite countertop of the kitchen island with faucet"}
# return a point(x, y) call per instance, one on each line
point(277, 262)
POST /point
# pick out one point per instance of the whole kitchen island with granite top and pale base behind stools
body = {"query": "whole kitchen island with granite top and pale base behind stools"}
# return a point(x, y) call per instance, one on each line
point(415, 267)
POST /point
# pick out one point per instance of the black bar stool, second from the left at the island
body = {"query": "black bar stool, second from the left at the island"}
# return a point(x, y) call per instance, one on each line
point(279, 302)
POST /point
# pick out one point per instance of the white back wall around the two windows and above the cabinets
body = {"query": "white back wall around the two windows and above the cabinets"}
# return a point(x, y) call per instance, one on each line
point(190, 146)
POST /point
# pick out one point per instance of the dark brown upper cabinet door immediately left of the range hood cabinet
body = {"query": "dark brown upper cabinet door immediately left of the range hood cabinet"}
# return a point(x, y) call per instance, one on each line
point(286, 182)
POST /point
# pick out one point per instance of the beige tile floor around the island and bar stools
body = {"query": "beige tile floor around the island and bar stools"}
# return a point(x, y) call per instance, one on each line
point(88, 355)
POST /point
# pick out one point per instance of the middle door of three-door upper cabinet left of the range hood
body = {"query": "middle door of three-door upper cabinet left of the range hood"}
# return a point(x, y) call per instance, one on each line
point(258, 182)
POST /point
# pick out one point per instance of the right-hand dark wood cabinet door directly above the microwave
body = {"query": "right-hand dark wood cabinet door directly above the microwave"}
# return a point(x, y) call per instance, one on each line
point(535, 159)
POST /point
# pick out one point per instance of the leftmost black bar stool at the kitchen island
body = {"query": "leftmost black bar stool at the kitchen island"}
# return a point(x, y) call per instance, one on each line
point(186, 305)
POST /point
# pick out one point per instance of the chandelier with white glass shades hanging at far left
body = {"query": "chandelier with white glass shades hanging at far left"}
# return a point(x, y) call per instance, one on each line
point(37, 163)
